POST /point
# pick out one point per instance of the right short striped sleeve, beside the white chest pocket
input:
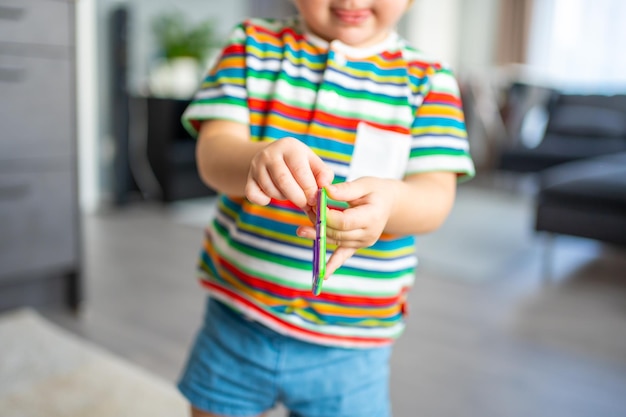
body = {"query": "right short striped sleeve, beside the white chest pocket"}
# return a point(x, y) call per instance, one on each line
point(439, 138)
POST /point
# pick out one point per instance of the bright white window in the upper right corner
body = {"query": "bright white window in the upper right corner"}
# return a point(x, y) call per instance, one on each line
point(580, 44)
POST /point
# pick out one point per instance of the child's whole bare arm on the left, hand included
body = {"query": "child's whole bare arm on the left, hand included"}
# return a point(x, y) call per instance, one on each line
point(286, 169)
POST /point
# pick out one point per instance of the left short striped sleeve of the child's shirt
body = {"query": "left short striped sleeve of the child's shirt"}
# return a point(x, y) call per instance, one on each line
point(222, 94)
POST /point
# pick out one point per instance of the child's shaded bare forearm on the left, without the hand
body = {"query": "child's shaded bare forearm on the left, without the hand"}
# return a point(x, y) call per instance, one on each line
point(223, 155)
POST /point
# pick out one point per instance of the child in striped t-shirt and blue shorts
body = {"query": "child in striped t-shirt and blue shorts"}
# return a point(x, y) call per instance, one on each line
point(332, 98)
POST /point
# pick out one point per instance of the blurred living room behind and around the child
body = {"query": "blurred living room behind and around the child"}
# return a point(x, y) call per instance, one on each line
point(519, 304)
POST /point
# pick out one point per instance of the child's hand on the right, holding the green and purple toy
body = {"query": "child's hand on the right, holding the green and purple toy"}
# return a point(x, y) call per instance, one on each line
point(359, 226)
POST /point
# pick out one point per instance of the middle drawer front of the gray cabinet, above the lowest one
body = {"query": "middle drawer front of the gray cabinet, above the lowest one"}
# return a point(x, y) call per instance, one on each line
point(36, 98)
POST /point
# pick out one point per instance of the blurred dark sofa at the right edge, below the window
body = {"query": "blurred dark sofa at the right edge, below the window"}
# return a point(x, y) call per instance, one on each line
point(580, 166)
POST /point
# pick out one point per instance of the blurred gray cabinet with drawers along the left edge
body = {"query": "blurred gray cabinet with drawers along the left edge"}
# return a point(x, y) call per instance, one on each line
point(39, 215)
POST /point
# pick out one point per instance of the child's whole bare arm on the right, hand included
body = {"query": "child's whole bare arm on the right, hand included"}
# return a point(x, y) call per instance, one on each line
point(418, 204)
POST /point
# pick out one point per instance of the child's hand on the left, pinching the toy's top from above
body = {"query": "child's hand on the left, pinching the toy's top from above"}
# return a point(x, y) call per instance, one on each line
point(287, 170)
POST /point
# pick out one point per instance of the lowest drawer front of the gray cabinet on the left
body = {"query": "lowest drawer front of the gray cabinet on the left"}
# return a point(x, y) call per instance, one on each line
point(38, 222)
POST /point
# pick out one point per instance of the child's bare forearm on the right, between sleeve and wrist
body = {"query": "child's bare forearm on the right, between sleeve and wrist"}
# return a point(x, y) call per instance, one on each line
point(421, 203)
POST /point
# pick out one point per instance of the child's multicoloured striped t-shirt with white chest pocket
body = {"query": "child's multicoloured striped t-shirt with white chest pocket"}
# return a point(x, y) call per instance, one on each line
point(386, 111)
